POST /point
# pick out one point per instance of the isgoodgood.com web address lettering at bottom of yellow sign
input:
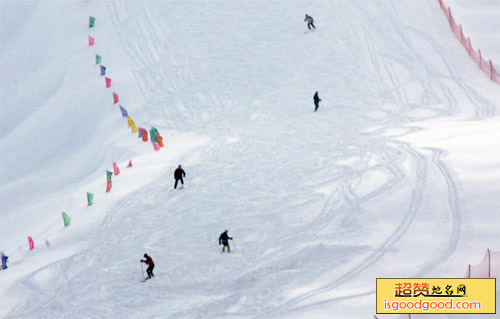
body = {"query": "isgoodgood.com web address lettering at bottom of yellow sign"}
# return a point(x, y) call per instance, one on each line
point(431, 305)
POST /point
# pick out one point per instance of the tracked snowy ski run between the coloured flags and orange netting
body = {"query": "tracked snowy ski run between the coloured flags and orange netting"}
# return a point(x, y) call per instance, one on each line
point(287, 183)
